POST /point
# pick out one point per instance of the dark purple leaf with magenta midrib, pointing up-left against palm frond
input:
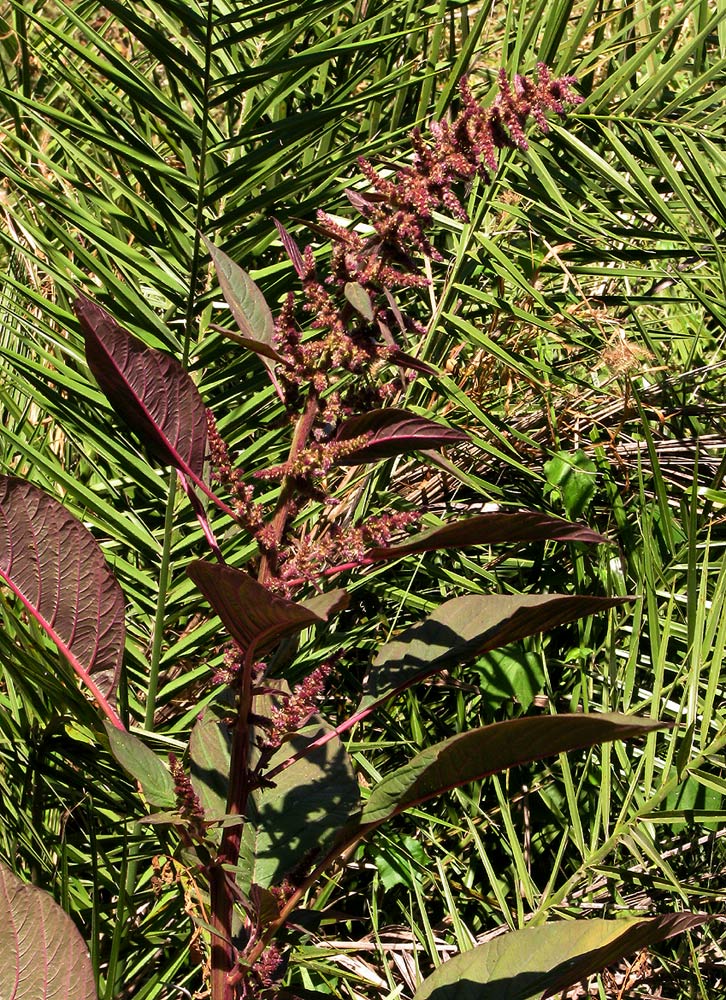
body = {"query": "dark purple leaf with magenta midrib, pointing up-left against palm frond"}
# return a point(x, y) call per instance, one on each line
point(148, 389)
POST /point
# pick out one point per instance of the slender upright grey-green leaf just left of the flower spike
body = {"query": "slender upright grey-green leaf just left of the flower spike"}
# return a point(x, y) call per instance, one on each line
point(249, 308)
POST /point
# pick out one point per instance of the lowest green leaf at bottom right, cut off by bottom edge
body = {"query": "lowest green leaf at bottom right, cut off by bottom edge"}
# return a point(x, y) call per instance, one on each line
point(543, 961)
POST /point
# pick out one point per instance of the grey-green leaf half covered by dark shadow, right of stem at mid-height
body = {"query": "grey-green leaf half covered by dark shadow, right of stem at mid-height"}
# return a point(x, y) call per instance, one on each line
point(464, 627)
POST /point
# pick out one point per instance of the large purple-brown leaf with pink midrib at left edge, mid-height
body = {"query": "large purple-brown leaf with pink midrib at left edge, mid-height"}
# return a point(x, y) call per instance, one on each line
point(54, 565)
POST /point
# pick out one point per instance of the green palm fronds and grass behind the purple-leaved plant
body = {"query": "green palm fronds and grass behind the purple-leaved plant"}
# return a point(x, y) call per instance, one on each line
point(577, 323)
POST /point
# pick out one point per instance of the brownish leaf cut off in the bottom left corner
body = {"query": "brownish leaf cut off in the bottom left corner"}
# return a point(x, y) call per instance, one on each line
point(42, 954)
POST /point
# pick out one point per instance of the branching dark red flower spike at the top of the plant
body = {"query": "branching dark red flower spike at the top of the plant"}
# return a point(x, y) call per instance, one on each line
point(353, 361)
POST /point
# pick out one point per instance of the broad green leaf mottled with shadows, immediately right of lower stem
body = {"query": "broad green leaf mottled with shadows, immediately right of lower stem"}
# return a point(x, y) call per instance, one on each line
point(292, 822)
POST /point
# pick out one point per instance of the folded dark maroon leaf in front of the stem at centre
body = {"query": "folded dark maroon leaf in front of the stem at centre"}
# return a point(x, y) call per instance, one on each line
point(255, 618)
